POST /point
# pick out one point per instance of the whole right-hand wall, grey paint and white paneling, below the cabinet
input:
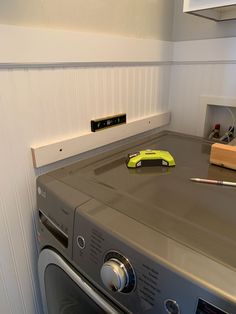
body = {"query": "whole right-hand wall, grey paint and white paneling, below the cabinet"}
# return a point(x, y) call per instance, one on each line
point(201, 67)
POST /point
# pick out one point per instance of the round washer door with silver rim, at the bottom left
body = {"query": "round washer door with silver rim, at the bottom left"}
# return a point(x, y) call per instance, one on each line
point(64, 291)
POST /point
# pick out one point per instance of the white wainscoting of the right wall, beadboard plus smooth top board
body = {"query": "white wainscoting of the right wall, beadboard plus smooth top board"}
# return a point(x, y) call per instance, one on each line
point(200, 67)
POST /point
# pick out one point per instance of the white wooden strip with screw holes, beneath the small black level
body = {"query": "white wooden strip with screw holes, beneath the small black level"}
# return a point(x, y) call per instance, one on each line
point(58, 150)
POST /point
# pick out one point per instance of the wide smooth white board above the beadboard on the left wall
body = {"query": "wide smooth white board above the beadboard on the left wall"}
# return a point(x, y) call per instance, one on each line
point(33, 45)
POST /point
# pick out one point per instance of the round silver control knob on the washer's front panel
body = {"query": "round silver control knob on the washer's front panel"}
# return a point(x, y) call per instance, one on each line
point(117, 274)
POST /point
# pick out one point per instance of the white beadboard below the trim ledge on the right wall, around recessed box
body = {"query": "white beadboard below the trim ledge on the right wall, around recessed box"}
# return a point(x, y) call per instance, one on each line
point(189, 83)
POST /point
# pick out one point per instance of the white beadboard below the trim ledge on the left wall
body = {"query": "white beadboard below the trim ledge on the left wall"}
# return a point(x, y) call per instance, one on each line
point(44, 104)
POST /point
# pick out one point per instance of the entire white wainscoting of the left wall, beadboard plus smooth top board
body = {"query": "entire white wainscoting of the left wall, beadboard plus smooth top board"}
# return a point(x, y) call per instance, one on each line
point(48, 93)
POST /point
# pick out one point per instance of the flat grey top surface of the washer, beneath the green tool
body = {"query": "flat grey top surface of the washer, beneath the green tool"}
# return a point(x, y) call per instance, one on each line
point(198, 215)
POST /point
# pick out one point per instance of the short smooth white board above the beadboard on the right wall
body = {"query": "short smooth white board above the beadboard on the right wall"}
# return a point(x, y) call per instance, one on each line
point(207, 50)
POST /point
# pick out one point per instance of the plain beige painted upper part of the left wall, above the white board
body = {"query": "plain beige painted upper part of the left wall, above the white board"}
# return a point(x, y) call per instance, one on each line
point(134, 18)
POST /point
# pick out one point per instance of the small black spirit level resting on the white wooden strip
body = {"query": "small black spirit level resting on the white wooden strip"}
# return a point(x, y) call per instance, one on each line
point(107, 122)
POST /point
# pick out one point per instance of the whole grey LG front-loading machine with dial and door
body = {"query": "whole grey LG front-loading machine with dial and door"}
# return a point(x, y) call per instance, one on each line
point(147, 240)
